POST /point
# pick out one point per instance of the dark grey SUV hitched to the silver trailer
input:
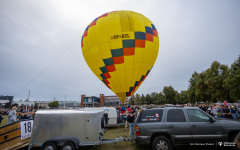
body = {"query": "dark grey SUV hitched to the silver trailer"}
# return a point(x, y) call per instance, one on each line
point(165, 127)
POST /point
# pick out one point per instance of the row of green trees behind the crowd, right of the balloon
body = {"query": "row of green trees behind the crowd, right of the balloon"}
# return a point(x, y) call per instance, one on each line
point(217, 83)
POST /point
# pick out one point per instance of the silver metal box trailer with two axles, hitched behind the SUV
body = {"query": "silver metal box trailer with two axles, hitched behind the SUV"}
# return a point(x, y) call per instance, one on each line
point(68, 129)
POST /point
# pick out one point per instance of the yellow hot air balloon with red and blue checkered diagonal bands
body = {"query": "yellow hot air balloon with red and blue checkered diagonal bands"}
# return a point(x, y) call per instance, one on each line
point(121, 47)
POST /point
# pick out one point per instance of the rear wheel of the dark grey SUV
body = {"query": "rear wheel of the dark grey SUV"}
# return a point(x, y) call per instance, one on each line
point(161, 143)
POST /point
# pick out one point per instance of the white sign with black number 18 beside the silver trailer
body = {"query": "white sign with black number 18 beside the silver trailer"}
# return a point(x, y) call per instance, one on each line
point(26, 129)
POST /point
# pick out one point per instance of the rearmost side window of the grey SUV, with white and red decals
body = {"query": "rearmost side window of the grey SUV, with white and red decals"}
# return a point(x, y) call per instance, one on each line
point(154, 115)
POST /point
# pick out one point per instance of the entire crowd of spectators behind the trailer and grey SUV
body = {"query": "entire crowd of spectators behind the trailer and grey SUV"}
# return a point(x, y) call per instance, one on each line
point(128, 113)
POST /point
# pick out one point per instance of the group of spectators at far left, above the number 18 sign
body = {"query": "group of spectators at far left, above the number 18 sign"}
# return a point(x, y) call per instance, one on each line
point(16, 113)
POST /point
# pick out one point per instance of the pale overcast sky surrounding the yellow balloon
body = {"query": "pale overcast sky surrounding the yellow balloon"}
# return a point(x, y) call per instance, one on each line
point(40, 44)
